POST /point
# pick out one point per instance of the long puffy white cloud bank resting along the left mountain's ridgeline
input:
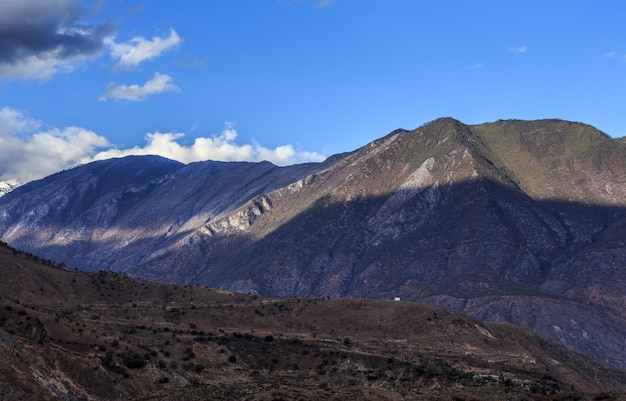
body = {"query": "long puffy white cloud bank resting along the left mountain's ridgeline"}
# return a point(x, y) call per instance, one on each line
point(220, 147)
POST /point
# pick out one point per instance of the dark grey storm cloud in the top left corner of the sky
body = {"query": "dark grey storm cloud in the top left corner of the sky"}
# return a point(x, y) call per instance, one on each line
point(46, 31)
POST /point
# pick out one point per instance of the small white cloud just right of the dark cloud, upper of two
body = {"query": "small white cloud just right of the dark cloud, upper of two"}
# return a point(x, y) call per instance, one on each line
point(138, 49)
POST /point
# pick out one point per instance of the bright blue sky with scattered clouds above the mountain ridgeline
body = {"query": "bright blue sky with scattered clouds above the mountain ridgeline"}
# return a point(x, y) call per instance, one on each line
point(290, 80)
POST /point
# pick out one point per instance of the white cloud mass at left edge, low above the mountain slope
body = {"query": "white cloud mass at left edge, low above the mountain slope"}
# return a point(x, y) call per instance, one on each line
point(27, 154)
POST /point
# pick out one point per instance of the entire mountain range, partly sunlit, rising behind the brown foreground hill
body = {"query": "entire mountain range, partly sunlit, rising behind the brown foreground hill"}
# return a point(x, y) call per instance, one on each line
point(518, 221)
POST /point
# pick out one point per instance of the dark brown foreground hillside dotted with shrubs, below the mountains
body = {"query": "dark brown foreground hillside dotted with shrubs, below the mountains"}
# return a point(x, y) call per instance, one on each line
point(69, 335)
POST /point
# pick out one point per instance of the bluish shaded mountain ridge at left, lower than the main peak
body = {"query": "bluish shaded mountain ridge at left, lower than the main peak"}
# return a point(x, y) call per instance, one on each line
point(115, 212)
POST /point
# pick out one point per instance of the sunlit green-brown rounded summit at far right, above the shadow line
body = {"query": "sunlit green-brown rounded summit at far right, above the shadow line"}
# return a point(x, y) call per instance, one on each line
point(548, 156)
